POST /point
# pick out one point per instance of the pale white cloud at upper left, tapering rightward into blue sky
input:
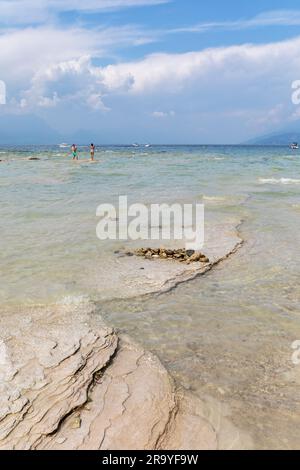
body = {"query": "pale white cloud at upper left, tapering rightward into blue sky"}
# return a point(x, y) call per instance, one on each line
point(30, 51)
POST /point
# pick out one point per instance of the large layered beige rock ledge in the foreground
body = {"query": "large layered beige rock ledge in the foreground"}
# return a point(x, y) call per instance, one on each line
point(67, 381)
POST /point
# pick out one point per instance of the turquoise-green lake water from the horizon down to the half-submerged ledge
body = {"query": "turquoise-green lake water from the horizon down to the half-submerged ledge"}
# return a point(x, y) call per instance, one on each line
point(48, 207)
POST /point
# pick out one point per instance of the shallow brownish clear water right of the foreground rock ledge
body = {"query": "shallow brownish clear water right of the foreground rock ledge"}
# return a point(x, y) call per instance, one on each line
point(229, 334)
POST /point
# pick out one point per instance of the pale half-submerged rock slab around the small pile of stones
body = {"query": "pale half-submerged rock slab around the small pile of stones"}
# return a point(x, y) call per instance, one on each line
point(136, 276)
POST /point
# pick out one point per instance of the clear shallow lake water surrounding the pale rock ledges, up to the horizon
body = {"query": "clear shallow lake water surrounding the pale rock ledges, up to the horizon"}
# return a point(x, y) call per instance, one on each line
point(227, 334)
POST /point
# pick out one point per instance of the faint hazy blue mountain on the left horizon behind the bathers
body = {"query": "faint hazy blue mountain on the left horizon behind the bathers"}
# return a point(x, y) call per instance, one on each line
point(26, 129)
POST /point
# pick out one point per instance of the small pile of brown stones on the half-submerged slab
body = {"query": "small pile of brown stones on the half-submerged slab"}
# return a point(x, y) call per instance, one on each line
point(181, 255)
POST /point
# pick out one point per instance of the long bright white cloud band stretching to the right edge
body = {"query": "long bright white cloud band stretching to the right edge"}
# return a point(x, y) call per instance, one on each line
point(173, 73)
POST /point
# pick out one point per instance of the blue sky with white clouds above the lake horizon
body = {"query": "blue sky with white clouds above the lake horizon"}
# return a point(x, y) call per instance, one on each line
point(157, 71)
